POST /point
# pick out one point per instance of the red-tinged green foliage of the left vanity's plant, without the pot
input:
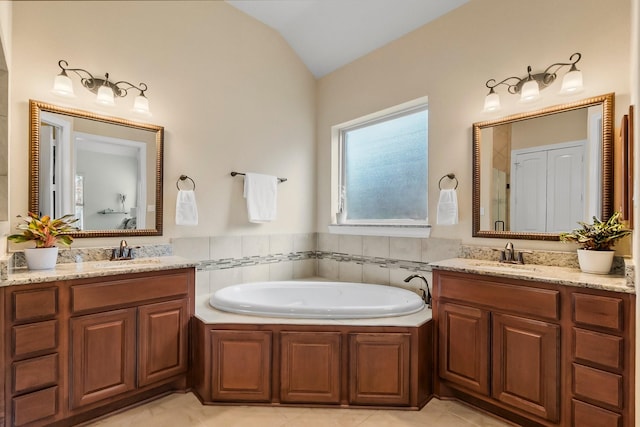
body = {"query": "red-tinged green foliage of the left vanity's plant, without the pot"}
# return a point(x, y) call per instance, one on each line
point(46, 232)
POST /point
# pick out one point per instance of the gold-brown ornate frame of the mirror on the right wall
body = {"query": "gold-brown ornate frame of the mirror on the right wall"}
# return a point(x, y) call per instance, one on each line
point(607, 103)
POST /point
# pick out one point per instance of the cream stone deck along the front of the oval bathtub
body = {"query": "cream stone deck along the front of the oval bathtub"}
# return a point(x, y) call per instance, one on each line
point(210, 315)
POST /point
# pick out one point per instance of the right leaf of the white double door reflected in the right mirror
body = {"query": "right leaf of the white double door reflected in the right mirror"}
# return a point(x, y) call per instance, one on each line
point(565, 188)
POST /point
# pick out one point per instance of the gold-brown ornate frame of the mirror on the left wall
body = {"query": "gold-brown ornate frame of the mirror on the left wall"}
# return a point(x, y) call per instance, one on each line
point(35, 109)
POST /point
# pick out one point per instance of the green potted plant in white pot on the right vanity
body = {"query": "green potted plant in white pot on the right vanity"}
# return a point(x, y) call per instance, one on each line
point(596, 241)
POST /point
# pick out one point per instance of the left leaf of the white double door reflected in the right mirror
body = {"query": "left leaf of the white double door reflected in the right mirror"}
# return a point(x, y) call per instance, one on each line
point(528, 191)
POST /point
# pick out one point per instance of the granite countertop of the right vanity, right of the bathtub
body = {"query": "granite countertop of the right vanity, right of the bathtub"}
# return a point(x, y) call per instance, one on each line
point(540, 273)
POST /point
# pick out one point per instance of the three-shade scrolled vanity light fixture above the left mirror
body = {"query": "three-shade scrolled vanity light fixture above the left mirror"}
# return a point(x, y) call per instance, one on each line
point(105, 91)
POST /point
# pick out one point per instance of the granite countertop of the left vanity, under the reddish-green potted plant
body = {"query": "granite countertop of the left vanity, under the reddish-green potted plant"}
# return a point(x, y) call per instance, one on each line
point(81, 270)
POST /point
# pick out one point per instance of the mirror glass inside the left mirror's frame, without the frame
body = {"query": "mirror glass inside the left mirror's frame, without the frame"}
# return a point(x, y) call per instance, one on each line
point(100, 179)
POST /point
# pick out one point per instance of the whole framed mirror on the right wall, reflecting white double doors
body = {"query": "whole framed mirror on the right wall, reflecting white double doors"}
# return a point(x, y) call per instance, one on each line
point(537, 174)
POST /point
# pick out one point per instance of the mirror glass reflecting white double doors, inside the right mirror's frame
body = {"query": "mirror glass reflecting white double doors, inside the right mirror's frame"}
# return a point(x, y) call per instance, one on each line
point(543, 174)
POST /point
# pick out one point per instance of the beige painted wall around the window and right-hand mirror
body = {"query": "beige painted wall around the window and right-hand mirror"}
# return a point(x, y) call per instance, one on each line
point(450, 59)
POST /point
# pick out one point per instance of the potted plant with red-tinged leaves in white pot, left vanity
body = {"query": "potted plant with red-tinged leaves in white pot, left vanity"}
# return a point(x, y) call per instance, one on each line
point(46, 232)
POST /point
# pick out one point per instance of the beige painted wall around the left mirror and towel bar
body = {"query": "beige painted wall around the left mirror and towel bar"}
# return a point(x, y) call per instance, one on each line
point(231, 94)
